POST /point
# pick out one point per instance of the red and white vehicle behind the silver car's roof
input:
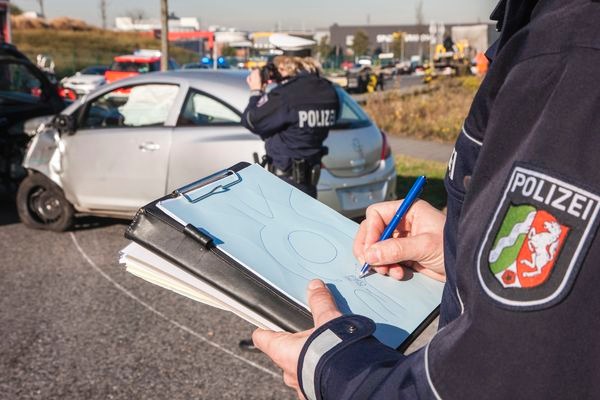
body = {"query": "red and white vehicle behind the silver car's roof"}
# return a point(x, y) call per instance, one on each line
point(139, 62)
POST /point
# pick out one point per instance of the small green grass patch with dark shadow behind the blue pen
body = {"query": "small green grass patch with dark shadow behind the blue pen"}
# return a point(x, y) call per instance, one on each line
point(409, 168)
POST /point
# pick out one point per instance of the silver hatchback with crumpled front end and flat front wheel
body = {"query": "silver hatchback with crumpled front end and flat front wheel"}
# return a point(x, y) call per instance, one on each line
point(137, 139)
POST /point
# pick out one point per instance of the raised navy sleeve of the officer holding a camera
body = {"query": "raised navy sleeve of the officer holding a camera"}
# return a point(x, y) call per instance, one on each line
point(266, 115)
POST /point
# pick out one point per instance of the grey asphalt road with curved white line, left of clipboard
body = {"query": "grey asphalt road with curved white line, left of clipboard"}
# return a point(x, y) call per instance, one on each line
point(75, 325)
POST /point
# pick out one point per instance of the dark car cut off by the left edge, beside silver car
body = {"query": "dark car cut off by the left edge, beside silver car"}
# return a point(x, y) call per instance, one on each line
point(25, 93)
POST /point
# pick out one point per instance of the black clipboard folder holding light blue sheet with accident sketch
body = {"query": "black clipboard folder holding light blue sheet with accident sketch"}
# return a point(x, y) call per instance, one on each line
point(259, 241)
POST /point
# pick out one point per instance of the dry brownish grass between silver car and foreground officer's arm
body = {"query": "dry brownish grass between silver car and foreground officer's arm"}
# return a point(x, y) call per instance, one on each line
point(435, 115)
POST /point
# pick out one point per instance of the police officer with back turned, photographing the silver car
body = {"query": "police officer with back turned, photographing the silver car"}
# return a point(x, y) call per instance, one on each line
point(293, 119)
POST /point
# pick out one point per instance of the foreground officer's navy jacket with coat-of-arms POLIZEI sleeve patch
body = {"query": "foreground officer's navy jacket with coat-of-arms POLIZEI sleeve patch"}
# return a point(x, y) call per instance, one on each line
point(519, 317)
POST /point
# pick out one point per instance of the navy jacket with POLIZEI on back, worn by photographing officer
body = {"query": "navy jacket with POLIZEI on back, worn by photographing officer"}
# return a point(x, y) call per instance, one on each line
point(294, 118)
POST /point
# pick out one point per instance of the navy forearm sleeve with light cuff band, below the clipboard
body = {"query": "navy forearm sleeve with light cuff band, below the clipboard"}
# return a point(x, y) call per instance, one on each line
point(329, 367)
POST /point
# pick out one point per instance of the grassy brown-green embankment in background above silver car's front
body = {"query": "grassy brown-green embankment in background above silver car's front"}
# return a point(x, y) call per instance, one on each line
point(74, 50)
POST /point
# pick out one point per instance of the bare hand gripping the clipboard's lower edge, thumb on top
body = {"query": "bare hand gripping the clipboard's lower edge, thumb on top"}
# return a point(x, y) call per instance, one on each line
point(283, 347)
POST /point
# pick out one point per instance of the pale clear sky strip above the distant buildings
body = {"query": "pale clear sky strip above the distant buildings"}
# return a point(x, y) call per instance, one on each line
point(266, 14)
